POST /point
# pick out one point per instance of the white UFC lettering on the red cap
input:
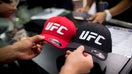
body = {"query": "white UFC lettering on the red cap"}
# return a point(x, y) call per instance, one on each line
point(52, 26)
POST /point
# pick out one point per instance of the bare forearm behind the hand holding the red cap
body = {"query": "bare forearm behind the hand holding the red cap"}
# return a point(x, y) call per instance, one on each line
point(7, 54)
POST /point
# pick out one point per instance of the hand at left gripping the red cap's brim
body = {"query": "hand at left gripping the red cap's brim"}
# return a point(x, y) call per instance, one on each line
point(28, 48)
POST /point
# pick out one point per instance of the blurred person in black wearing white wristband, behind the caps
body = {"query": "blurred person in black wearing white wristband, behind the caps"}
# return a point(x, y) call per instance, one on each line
point(118, 9)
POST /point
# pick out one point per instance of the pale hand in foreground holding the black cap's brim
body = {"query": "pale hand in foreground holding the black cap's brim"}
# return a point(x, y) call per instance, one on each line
point(77, 62)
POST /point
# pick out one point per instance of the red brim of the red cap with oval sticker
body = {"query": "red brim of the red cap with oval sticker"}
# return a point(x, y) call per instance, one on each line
point(59, 43)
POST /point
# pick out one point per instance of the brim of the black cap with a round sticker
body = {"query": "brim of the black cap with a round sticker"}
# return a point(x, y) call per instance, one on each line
point(93, 51)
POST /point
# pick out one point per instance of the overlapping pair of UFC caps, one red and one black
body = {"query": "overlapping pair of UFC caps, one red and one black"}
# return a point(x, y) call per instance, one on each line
point(62, 33)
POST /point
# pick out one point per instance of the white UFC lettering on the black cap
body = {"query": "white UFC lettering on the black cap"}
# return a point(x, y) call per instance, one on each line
point(87, 35)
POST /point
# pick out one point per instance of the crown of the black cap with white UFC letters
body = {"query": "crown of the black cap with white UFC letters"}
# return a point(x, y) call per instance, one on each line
point(94, 35)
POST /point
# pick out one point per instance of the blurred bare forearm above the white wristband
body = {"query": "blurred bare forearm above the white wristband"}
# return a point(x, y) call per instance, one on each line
point(120, 7)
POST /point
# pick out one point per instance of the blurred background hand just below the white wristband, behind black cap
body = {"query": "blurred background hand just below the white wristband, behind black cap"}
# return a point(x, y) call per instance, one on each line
point(98, 17)
